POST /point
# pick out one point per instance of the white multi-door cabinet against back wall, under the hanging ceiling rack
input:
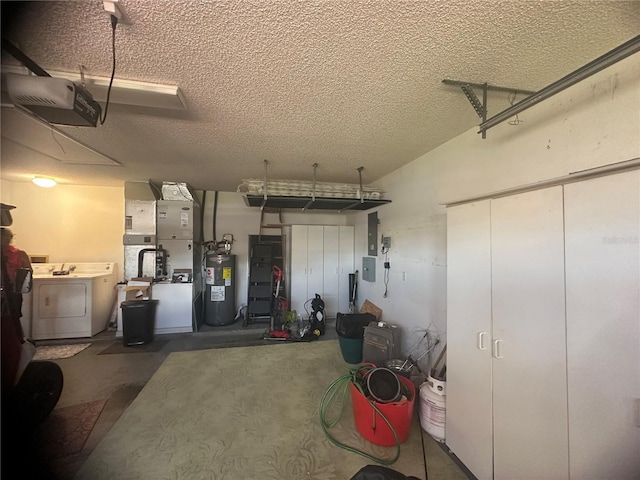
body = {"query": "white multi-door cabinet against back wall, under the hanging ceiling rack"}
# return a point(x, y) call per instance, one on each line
point(322, 257)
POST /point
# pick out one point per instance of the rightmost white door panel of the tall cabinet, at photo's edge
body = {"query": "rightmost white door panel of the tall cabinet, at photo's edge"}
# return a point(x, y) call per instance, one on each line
point(603, 326)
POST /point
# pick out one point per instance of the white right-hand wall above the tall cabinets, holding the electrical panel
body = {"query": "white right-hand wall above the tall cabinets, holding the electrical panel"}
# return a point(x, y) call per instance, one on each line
point(594, 123)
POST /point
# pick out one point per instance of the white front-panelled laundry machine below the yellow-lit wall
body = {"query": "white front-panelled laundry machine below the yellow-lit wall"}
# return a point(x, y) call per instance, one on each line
point(76, 304)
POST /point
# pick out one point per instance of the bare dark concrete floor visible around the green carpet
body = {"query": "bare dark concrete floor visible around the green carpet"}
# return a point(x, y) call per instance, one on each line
point(118, 378)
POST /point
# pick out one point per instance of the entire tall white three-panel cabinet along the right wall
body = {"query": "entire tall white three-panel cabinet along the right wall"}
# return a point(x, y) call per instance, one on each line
point(543, 332)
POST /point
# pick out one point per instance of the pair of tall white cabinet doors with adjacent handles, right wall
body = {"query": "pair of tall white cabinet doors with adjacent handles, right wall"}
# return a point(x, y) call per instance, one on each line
point(506, 373)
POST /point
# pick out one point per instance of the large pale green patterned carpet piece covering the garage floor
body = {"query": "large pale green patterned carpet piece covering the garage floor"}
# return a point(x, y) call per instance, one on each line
point(240, 413)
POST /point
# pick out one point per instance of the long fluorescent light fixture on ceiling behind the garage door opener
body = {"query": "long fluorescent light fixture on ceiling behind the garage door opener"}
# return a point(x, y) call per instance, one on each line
point(129, 92)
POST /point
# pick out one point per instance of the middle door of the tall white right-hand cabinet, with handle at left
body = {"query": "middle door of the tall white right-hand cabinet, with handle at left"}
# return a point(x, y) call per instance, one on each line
point(529, 340)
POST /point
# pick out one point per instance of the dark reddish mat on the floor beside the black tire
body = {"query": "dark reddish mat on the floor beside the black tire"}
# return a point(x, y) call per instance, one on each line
point(66, 429)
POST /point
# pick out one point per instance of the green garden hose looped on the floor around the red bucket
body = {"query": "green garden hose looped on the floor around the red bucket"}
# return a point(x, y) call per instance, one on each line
point(339, 386)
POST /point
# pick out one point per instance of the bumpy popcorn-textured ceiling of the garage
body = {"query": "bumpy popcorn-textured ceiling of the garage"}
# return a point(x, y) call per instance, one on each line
point(341, 83)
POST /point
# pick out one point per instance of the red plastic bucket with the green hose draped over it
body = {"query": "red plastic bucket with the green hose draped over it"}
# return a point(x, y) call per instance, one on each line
point(371, 425)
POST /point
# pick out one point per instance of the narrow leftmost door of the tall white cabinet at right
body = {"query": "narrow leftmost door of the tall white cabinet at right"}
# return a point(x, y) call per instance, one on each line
point(469, 431)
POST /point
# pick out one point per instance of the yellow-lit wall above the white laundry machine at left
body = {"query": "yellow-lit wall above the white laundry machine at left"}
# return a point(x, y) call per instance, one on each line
point(67, 222)
